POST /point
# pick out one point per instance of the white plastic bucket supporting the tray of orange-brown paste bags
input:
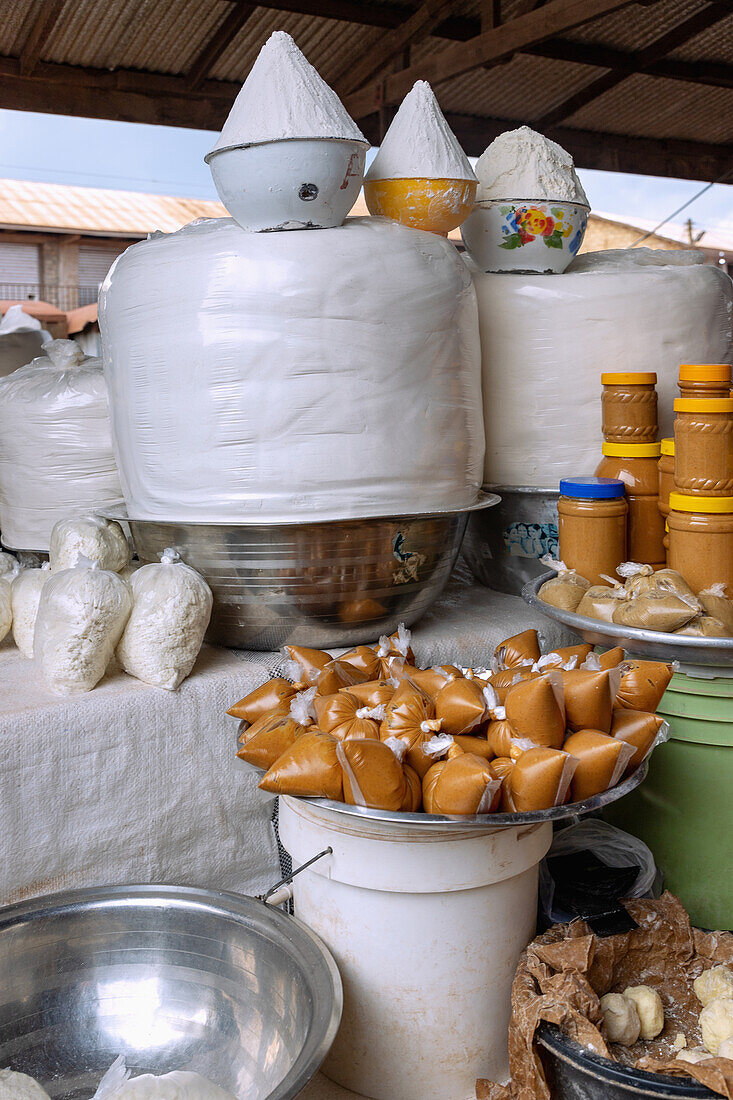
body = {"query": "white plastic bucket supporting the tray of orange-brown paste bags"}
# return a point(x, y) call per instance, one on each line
point(426, 929)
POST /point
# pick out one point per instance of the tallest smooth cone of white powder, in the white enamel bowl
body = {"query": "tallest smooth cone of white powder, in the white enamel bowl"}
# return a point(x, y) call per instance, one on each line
point(286, 97)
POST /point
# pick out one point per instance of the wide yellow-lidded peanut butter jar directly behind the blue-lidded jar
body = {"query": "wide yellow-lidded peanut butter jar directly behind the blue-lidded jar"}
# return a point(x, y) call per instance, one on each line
point(637, 466)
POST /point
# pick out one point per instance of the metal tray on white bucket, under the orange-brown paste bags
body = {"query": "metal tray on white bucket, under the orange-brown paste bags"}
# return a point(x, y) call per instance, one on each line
point(439, 822)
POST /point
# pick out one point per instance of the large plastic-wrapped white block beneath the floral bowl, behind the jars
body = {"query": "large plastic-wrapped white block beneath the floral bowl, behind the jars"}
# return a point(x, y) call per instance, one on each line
point(546, 339)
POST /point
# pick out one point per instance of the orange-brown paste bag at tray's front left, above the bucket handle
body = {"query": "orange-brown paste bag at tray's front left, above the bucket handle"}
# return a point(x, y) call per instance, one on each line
point(310, 768)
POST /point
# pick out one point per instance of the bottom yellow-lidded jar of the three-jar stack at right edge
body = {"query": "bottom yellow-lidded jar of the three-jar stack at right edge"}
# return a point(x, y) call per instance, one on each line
point(702, 540)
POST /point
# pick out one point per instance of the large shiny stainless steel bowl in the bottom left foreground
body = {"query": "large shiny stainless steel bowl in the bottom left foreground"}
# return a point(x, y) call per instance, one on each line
point(172, 978)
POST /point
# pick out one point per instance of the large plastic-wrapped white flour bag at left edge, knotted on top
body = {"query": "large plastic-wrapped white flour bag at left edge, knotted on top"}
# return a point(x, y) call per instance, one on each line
point(56, 446)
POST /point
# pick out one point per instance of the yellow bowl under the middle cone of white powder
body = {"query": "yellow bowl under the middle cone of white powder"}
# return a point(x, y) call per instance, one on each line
point(434, 205)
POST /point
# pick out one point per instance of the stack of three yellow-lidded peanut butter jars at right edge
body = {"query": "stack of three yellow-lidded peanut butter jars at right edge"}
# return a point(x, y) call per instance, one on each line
point(701, 516)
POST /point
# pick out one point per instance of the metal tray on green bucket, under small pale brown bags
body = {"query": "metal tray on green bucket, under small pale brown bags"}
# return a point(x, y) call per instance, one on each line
point(696, 653)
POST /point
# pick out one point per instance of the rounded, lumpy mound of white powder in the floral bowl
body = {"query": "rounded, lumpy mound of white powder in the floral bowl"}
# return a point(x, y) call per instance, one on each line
point(523, 164)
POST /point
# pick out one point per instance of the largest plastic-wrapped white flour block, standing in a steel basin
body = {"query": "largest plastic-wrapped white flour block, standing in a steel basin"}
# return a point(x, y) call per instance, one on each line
point(309, 376)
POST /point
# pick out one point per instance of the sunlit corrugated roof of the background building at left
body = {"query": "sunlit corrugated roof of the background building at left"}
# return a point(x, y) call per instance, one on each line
point(58, 207)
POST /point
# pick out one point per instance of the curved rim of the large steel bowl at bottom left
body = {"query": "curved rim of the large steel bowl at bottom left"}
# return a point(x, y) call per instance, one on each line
point(224, 904)
